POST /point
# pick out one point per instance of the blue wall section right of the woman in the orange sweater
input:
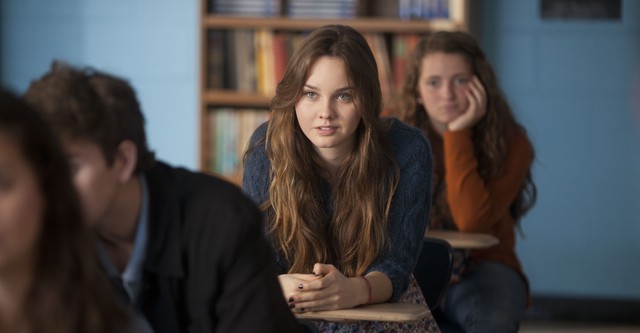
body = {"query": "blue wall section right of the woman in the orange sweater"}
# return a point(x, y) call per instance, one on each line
point(571, 85)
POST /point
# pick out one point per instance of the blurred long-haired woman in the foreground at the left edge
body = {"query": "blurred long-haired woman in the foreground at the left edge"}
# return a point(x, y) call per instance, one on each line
point(50, 278)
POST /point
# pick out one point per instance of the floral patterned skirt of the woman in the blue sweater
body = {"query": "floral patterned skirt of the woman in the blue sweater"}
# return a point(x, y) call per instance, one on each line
point(412, 295)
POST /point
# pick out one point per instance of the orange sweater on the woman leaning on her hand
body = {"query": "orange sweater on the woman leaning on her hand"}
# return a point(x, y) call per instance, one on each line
point(479, 206)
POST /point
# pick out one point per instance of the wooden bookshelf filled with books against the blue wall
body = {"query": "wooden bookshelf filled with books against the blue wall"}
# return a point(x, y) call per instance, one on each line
point(233, 41)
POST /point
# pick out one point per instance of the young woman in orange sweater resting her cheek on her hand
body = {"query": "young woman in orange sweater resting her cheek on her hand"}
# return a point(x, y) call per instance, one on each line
point(482, 159)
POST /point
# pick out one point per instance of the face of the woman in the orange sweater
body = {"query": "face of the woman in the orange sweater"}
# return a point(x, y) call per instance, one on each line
point(443, 87)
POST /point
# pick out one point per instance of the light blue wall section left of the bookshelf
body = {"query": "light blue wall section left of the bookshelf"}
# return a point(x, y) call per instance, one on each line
point(152, 43)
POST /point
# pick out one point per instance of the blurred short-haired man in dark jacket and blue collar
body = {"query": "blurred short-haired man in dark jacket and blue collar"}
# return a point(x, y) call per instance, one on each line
point(185, 249)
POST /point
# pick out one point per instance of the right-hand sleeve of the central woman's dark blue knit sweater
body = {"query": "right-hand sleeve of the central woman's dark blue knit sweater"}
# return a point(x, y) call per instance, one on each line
point(409, 208)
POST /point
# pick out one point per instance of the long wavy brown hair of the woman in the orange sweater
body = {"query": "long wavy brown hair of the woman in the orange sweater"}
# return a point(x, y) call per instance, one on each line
point(490, 135)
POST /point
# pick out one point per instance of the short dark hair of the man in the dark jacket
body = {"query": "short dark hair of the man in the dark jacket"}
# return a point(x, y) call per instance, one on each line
point(92, 105)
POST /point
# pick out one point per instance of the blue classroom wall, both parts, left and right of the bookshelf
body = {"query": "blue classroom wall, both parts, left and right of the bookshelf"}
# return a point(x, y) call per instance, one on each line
point(569, 82)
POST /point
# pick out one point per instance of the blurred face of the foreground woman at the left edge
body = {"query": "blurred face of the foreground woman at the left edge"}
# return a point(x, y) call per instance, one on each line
point(21, 208)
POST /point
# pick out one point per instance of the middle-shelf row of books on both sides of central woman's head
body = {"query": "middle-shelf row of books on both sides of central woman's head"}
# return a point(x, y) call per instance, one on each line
point(254, 60)
